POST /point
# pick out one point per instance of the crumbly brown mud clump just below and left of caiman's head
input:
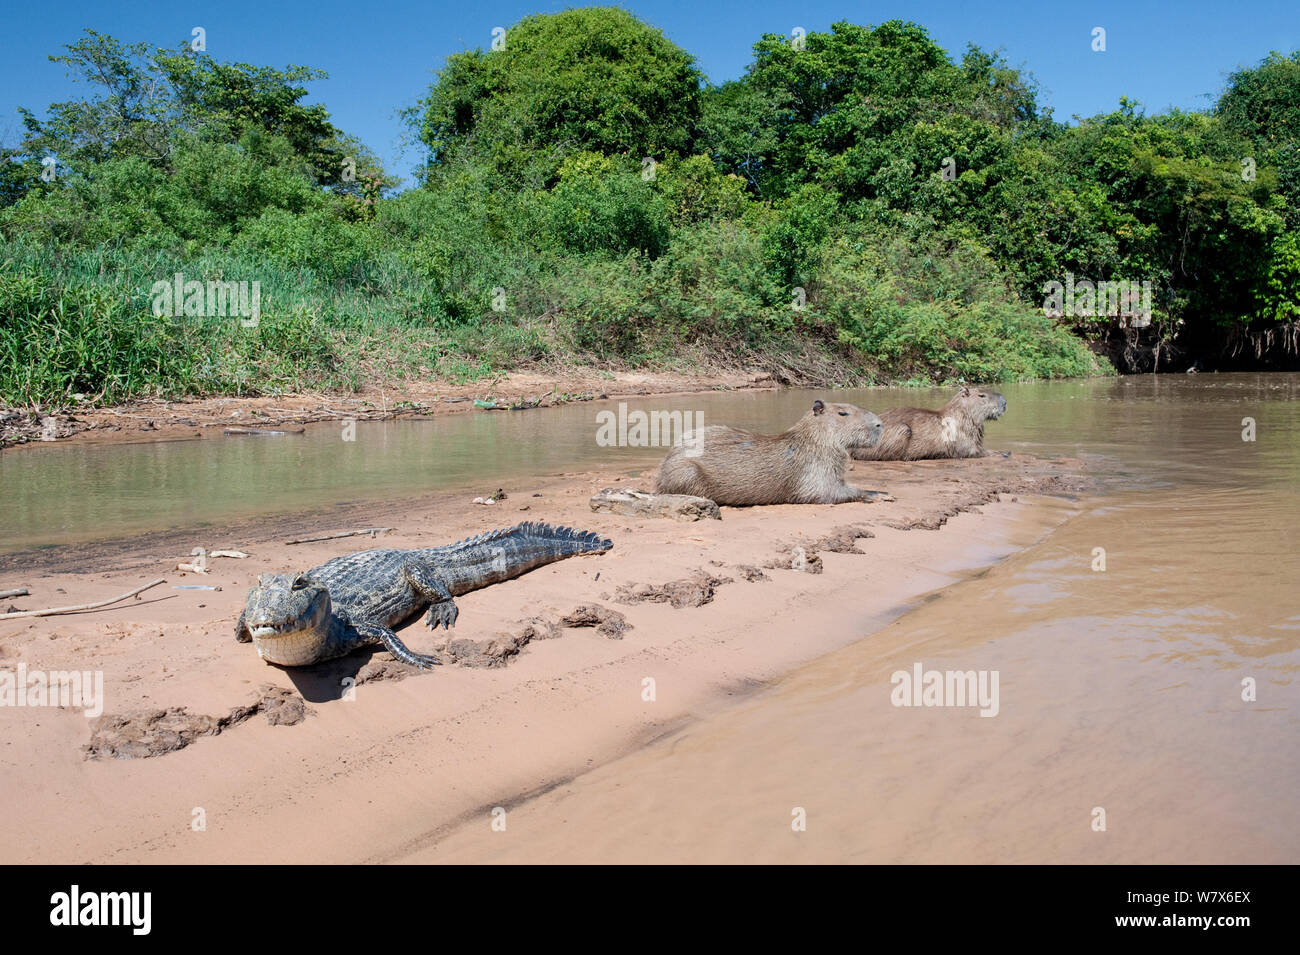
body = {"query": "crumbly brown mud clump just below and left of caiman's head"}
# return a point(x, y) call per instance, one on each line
point(144, 733)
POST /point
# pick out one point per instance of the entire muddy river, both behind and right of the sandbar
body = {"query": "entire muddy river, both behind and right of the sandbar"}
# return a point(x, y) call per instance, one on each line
point(1147, 705)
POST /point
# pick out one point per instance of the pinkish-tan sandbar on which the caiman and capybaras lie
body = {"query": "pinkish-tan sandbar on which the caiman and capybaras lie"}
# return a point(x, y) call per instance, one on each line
point(383, 776)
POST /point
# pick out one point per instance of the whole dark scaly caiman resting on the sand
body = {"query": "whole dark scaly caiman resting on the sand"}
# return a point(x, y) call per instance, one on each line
point(358, 600)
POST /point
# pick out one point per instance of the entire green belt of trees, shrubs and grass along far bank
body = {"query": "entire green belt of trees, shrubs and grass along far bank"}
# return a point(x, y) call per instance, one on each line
point(860, 207)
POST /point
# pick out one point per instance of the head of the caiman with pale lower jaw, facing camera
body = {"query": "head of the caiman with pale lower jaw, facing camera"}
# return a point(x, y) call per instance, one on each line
point(288, 617)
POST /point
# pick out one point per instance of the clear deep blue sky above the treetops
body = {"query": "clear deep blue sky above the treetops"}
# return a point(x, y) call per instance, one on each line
point(380, 57)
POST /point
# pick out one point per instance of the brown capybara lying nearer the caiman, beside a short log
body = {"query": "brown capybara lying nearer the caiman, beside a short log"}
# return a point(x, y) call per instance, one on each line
point(803, 466)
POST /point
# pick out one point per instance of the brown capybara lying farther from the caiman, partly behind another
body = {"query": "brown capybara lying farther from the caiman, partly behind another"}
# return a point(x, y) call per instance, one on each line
point(955, 431)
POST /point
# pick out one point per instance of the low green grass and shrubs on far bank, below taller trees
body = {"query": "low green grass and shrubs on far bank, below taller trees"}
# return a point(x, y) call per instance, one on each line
point(435, 289)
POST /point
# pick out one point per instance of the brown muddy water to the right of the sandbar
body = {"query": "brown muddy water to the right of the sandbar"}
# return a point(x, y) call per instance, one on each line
point(1121, 731)
